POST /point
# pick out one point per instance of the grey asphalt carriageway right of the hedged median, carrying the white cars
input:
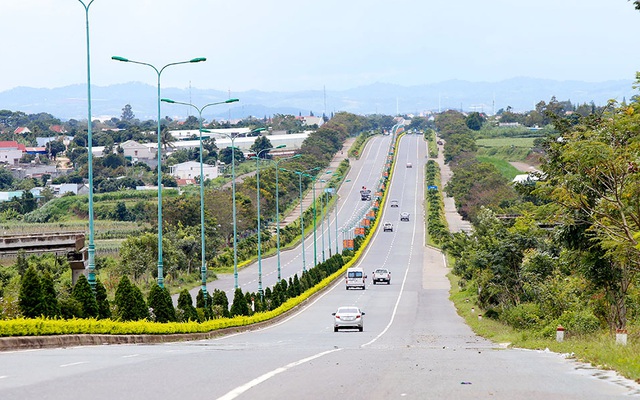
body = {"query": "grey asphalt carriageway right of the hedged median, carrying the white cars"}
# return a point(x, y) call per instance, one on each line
point(414, 345)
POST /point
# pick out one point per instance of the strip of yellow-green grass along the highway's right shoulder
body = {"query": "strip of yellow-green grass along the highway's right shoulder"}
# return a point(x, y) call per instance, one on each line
point(600, 349)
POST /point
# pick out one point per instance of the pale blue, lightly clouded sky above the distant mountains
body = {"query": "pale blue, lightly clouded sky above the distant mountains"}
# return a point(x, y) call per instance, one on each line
point(287, 45)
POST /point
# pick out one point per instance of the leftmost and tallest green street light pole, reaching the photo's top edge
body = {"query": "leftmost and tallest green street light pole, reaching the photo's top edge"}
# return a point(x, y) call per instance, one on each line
point(91, 251)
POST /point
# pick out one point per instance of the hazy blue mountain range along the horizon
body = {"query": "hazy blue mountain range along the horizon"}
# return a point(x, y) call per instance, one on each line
point(521, 94)
